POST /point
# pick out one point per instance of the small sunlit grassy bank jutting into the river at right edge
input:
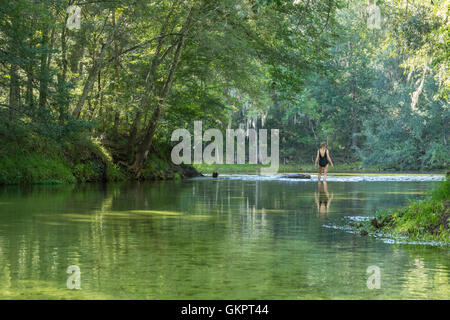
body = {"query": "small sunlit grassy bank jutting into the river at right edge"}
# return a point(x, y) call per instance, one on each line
point(420, 220)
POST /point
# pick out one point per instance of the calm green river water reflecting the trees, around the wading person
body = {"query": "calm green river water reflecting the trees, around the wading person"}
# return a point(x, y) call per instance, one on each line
point(235, 237)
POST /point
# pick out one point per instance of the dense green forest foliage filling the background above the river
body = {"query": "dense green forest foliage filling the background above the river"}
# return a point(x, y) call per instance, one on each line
point(311, 69)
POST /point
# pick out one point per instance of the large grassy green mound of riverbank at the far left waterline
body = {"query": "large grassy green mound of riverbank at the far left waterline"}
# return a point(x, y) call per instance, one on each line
point(54, 164)
